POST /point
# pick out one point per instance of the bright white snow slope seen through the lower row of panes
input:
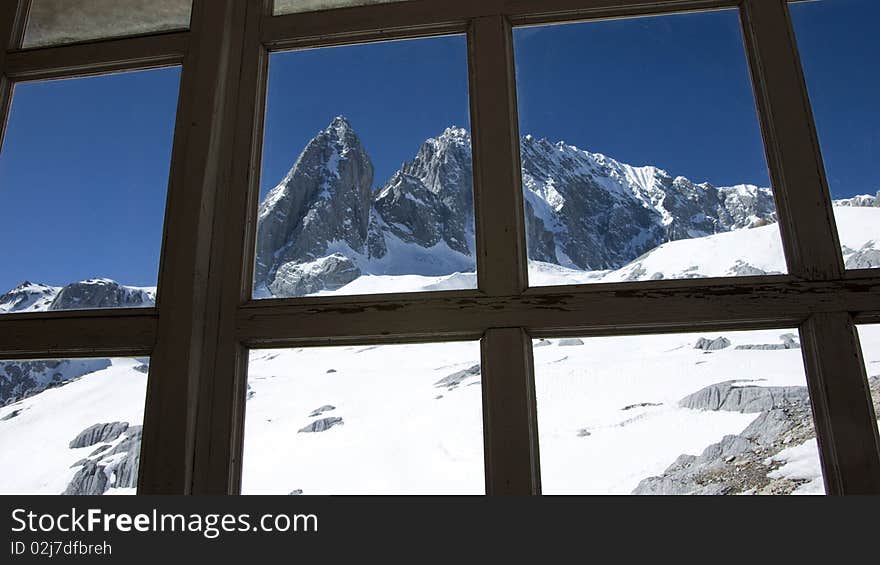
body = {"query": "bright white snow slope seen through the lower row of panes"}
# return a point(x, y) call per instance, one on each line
point(402, 433)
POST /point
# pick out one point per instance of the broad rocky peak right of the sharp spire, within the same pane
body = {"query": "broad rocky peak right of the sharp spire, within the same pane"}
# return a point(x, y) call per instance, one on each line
point(431, 199)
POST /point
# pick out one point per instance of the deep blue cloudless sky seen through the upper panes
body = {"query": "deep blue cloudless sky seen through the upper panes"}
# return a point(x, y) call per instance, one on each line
point(84, 166)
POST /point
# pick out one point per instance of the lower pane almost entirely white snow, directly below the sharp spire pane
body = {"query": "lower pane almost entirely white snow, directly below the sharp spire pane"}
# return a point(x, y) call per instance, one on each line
point(391, 419)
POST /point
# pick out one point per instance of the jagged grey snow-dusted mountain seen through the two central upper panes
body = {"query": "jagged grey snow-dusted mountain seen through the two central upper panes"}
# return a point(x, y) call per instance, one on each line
point(584, 211)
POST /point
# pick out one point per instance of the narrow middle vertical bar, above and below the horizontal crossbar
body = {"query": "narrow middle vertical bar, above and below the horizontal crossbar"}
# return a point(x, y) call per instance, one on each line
point(509, 421)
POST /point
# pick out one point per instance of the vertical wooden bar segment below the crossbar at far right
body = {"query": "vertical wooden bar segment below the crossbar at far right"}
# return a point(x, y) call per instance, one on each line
point(842, 408)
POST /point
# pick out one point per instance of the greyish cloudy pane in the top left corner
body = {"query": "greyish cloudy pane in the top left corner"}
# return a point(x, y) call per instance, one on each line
point(51, 22)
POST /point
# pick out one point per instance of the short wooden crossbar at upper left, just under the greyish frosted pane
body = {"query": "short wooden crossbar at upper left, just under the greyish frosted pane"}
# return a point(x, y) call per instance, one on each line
point(100, 57)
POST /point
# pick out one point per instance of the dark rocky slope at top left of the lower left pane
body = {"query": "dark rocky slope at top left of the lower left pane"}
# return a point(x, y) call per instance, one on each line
point(21, 379)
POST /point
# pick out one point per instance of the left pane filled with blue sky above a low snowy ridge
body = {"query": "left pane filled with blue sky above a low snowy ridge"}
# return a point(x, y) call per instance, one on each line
point(83, 177)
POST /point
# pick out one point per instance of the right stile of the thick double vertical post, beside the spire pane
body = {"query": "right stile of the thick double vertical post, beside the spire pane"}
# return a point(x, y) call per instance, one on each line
point(221, 419)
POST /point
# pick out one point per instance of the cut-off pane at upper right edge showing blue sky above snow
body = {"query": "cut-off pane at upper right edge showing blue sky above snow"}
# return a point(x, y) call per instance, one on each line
point(840, 50)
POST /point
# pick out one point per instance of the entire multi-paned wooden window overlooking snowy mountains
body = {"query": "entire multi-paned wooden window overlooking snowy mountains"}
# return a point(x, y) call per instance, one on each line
point(241, 361)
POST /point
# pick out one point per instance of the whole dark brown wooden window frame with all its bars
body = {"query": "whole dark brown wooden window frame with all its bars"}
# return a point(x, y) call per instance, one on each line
point(205, 320)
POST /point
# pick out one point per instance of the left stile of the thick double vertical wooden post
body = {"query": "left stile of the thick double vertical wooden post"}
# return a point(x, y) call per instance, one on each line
point(183, 358)
